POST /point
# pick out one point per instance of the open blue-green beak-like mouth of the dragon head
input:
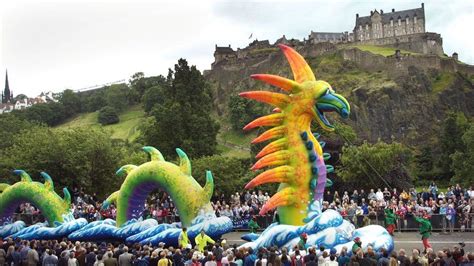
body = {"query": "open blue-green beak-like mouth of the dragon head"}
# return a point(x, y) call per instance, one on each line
point(331, 102)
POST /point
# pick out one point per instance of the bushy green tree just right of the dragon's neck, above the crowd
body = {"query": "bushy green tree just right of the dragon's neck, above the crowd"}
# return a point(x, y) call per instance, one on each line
point(376, 164)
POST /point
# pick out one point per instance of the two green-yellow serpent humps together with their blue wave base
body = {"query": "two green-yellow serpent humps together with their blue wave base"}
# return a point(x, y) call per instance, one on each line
point(191, 200)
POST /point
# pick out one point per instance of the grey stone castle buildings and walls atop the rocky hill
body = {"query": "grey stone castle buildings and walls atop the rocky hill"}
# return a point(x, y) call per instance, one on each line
point(403, 29)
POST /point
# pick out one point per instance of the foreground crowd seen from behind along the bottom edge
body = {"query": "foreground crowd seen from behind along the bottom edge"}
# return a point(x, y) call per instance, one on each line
point(67, 253)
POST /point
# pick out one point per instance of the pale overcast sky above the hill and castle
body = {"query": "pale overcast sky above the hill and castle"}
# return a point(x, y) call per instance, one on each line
point(55, 45)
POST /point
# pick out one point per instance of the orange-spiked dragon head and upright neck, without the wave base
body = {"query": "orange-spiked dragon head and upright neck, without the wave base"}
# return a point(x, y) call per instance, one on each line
point(294, 157)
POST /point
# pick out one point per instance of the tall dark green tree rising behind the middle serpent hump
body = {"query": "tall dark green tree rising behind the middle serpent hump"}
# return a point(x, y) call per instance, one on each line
point(184, 118)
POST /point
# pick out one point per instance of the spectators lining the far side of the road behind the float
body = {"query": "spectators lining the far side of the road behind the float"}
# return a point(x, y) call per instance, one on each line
point(456, 205)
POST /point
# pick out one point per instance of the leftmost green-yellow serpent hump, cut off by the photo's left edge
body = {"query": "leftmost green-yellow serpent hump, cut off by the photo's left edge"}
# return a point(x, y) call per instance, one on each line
point(52, 206)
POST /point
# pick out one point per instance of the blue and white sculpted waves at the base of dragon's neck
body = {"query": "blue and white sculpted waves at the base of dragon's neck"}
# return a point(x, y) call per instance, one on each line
point(327, 229)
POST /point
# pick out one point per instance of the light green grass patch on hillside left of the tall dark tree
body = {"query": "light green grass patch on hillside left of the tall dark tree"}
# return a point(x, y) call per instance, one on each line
point(127, 129)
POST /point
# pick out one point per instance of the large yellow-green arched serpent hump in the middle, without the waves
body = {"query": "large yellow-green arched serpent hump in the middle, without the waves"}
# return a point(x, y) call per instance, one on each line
point(188, 196)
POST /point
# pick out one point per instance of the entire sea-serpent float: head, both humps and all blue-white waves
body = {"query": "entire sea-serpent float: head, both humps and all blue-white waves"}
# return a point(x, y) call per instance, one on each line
point(294, 158)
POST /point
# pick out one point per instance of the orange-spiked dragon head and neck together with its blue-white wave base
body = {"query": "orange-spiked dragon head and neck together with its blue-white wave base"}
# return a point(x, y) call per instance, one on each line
point(295, 159)
